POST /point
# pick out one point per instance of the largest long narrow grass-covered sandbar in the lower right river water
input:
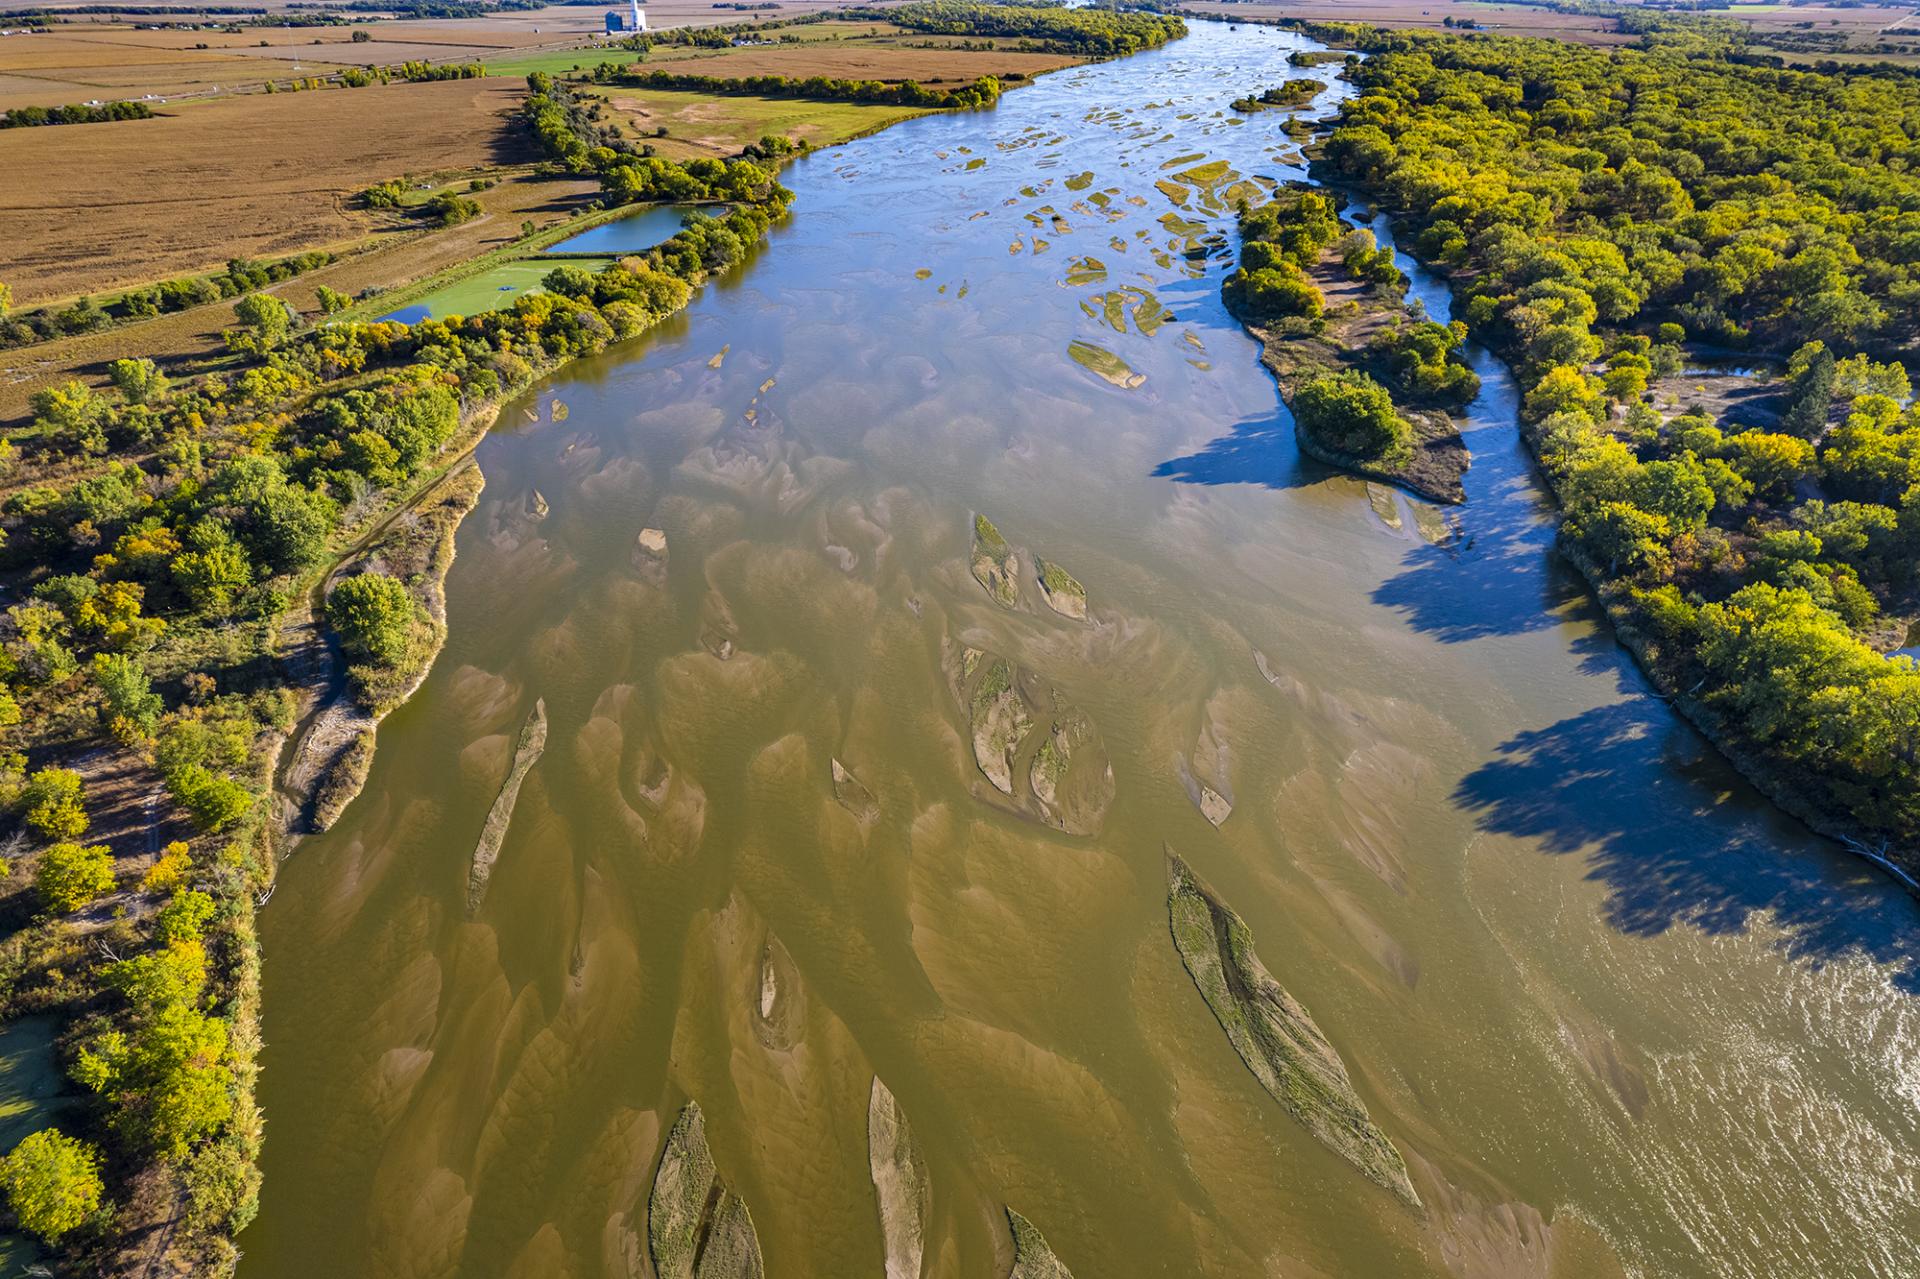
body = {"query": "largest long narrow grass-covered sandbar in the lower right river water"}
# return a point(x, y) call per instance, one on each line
point(1274, 1034)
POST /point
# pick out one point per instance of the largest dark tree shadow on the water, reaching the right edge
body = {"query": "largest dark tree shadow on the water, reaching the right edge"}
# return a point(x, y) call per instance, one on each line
point(1681, 840)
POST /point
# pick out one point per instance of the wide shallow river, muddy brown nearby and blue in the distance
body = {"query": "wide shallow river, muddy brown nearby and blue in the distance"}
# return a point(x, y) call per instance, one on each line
point(1616, 1013)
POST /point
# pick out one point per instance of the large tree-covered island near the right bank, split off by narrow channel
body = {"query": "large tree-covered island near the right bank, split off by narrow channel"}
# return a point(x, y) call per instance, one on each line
point(1370, 379)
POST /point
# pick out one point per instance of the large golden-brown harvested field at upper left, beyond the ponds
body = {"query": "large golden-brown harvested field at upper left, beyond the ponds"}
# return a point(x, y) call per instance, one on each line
point(254, 176)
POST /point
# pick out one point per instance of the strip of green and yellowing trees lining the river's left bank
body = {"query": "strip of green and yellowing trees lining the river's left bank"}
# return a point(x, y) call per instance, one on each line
point(153, 541)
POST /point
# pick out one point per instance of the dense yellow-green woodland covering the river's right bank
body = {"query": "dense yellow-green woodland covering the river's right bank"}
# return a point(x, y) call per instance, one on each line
point(1610, 216)
